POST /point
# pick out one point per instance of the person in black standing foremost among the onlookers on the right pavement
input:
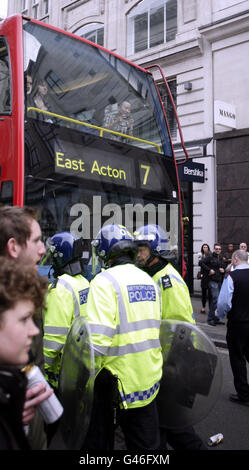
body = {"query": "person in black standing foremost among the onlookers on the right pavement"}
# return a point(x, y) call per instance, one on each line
point(214, 267)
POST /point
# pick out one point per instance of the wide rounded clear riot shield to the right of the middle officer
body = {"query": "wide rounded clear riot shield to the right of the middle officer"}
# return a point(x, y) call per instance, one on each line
point(192, 375)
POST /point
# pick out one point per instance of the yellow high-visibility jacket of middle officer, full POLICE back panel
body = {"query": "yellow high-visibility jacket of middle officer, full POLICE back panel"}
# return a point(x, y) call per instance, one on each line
point(124, 312)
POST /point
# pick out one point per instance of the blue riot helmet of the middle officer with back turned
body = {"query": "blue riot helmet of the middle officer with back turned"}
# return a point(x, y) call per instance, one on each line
point(113, 241)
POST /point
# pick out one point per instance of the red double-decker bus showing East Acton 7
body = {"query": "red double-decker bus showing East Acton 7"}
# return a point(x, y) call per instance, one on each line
point(83, 135)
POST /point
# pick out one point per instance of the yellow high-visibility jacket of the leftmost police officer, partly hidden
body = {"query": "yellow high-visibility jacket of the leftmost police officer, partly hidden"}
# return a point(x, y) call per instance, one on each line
point(66, 300)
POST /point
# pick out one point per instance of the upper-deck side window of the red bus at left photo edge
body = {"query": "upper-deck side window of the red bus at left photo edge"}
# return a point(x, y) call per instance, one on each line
point(4, 78)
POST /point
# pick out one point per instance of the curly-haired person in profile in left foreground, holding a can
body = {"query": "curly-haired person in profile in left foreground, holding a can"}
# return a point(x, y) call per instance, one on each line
point(22, 292)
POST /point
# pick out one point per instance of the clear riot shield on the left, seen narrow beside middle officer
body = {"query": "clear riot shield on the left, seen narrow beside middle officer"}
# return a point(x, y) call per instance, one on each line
point(76, 384)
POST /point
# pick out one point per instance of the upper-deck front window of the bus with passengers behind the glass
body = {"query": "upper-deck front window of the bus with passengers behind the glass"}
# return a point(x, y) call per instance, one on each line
point(73, 83)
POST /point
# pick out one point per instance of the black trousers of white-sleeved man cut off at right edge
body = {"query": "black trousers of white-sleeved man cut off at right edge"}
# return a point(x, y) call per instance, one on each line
point(238, 346)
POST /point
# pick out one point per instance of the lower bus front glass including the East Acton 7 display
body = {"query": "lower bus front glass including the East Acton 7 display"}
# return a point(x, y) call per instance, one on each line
point(79, 182)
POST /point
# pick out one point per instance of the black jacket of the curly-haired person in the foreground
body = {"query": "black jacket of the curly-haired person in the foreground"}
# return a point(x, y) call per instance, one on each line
point(13, 384)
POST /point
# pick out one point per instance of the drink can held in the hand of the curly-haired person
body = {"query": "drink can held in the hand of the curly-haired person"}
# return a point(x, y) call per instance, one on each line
point(51, 408)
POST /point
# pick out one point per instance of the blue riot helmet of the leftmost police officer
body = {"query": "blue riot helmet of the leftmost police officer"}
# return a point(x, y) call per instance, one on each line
point(68, 253)
